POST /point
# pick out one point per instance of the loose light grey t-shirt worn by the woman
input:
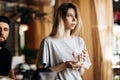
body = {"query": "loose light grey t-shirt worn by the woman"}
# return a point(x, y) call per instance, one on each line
point(54, 51)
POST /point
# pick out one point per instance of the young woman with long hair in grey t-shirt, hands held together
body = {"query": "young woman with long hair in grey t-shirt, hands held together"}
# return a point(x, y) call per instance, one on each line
point(63, 51)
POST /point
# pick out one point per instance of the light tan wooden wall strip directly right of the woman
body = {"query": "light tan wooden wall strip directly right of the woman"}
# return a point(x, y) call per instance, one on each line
point(85, 11)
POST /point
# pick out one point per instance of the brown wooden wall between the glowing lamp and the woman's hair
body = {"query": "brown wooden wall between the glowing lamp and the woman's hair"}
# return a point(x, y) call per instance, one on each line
point(39, 27)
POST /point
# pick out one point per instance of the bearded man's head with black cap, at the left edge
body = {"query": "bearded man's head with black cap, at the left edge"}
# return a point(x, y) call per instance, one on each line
point(4, 30)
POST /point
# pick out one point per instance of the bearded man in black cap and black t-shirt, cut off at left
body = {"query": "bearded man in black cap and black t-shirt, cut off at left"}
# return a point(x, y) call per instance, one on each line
point(5, 55)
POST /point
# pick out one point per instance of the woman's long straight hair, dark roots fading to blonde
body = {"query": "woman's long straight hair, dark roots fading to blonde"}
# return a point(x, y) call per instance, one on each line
point(58, 29)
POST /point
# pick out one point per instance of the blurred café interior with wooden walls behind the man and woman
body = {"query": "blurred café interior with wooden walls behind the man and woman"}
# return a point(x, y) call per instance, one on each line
point(32, 21)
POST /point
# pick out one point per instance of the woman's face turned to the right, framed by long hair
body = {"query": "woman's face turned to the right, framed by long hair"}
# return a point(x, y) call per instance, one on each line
point(70, 19)
